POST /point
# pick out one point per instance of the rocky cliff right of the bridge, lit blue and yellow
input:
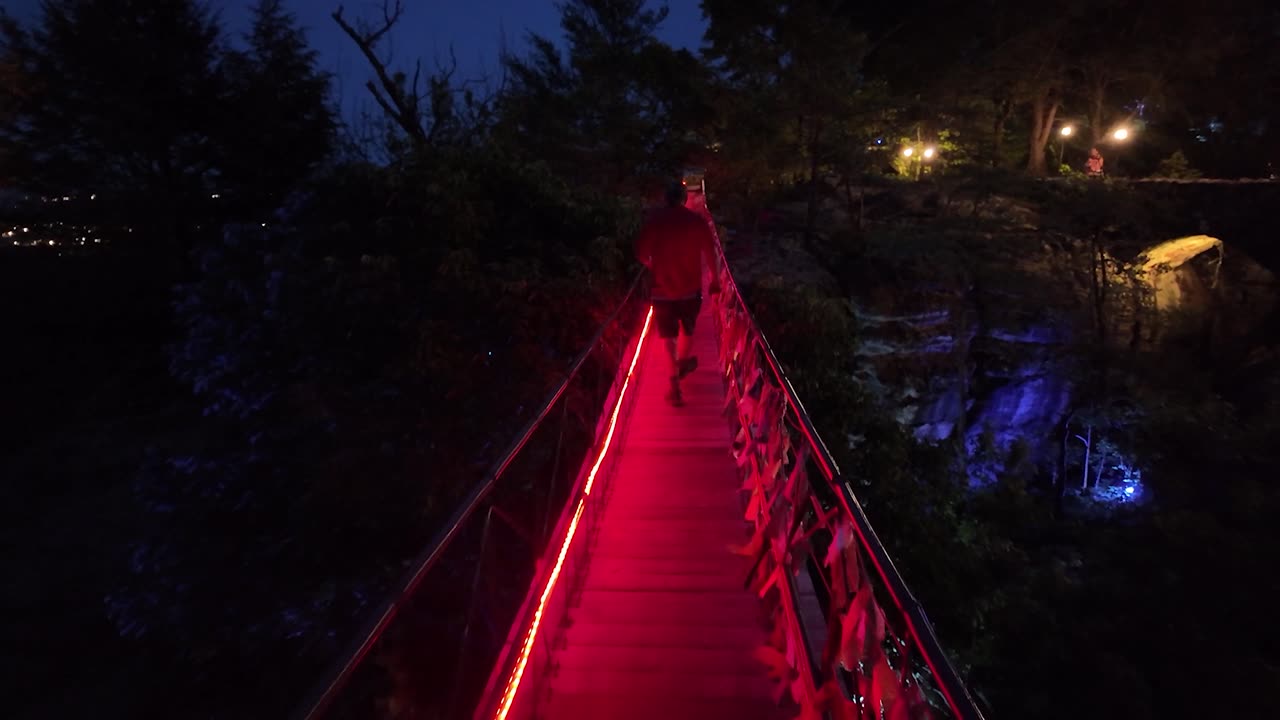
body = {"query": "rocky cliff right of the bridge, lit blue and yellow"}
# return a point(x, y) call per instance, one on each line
point(988, 330)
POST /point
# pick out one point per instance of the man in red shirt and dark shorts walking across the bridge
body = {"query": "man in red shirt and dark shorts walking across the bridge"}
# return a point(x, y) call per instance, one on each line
point(673, 244)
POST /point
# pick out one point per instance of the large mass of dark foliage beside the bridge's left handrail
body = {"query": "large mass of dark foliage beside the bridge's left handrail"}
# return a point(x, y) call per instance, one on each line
point(336, 386)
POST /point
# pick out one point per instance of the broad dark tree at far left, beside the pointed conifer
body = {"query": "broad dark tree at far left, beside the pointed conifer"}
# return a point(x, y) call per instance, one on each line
point(122, 97)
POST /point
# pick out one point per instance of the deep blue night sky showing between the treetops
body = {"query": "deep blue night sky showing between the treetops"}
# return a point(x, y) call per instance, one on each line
point(474, 29)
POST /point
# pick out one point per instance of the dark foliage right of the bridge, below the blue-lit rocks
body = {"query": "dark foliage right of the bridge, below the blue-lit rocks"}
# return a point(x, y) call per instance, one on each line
point(995, 567)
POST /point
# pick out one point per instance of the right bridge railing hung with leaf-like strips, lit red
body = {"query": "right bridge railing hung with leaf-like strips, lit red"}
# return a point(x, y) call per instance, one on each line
point(851, 640)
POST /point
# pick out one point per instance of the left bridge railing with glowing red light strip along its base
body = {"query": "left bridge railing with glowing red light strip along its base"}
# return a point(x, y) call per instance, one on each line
point(441, 645)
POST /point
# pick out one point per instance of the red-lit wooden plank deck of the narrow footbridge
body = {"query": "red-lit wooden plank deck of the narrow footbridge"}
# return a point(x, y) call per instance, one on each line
point(664, 628)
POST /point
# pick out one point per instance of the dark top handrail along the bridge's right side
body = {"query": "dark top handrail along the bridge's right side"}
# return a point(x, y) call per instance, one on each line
point(917, 622)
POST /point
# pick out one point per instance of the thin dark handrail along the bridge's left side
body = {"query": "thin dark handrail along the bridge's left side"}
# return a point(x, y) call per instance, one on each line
point(339, 678)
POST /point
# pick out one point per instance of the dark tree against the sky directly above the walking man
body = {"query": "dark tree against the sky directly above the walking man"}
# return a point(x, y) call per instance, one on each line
point(619, 111)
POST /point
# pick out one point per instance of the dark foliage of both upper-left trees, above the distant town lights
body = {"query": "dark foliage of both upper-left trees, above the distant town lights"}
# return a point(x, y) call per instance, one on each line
point(162, 112)
